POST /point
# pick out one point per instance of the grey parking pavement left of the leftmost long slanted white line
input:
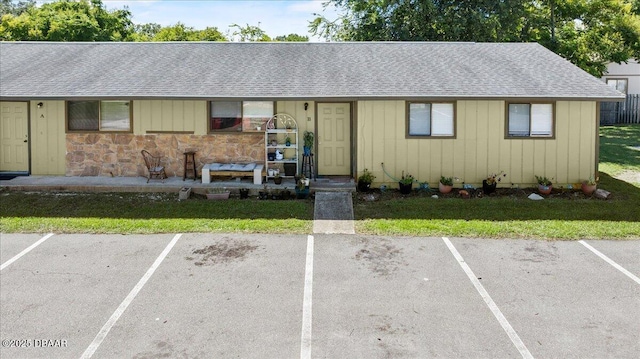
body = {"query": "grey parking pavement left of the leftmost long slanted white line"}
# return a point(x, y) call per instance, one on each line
point(63, 291)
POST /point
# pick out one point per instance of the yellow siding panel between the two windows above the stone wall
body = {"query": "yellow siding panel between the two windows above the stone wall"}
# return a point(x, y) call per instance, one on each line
point(169, 115)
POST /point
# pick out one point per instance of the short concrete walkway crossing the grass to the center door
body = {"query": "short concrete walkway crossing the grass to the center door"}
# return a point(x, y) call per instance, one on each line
point(333, 213)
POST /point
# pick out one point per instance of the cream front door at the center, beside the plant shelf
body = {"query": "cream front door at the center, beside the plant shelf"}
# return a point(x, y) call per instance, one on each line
point(334, 139)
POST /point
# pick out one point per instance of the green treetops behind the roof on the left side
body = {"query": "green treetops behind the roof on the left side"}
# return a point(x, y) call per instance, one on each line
point(89, 20)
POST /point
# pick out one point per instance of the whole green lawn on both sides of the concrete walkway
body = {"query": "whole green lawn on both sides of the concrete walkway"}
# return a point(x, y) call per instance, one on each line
point(511, 215)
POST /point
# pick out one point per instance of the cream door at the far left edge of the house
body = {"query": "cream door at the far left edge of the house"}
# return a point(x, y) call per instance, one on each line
point(14, 136)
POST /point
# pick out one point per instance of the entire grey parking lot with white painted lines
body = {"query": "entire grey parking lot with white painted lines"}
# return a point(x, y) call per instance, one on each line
point(231, 295)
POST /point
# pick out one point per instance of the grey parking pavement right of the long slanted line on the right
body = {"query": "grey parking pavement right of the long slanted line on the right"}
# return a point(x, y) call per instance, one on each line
point(563, 300)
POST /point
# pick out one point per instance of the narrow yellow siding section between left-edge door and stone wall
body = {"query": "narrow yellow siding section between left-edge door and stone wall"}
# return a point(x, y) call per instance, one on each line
point(48, 147)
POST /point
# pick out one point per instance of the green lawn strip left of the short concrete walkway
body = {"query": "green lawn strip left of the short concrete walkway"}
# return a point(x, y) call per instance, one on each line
point(148, 213)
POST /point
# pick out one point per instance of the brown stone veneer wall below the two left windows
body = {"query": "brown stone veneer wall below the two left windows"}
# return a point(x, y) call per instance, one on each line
point(111, 154)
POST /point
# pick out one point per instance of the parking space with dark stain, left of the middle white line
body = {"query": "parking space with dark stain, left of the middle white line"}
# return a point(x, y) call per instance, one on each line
point(217, 296)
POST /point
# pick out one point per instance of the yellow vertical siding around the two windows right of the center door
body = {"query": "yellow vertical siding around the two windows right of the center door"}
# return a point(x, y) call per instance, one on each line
point(480, 147)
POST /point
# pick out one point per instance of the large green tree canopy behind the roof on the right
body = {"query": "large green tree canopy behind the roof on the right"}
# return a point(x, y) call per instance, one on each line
point(589, 33)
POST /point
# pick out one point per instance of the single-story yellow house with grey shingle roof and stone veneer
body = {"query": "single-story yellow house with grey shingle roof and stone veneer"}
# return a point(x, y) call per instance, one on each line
point(430, 109)
